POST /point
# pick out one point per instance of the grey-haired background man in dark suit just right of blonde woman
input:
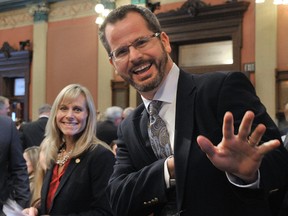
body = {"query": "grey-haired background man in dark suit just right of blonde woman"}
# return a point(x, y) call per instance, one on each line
point(107, 129)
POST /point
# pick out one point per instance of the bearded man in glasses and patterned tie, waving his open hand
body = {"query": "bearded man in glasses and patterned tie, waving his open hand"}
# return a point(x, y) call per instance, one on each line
point(215, 123)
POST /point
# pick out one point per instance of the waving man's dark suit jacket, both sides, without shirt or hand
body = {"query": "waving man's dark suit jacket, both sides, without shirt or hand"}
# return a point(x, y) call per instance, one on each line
point(137, 185)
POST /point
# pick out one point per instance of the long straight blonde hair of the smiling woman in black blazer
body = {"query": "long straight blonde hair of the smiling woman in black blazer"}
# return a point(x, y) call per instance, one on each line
point(83, 141)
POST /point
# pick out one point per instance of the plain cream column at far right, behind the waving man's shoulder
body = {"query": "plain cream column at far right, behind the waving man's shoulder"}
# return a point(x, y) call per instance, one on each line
point(265, 54)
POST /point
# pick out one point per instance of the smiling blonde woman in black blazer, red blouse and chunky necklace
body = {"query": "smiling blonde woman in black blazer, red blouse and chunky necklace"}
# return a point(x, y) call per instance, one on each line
point(80, 164)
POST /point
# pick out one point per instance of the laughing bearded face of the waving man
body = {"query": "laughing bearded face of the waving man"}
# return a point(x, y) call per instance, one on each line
point(142, 67)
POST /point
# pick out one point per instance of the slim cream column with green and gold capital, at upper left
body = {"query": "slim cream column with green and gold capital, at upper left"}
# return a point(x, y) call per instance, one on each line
point(38, 82)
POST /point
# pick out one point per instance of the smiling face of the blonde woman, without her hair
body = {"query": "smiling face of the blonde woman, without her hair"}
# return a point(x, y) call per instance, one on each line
point(71, 116)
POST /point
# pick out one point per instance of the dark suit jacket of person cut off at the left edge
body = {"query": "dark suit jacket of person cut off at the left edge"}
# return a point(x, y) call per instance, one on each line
point(14, 181)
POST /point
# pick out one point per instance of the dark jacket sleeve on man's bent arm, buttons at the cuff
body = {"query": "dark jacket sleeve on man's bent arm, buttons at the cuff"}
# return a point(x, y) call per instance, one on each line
point(134, 190)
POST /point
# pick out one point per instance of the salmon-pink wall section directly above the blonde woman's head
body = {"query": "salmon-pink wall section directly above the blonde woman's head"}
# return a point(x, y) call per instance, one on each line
point(72, 55)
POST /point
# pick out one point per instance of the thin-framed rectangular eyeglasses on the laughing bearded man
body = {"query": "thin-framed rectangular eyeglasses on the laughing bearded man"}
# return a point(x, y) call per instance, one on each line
point(141, 44)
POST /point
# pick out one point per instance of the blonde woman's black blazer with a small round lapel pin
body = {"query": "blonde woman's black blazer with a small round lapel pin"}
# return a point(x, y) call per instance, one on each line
point(82, 187)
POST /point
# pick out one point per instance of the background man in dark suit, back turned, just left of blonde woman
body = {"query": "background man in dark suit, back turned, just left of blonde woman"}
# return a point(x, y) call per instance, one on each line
point(32, 133)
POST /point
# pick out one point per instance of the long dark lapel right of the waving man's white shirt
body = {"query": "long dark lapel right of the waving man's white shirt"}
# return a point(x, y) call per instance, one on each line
point(184, 127)
